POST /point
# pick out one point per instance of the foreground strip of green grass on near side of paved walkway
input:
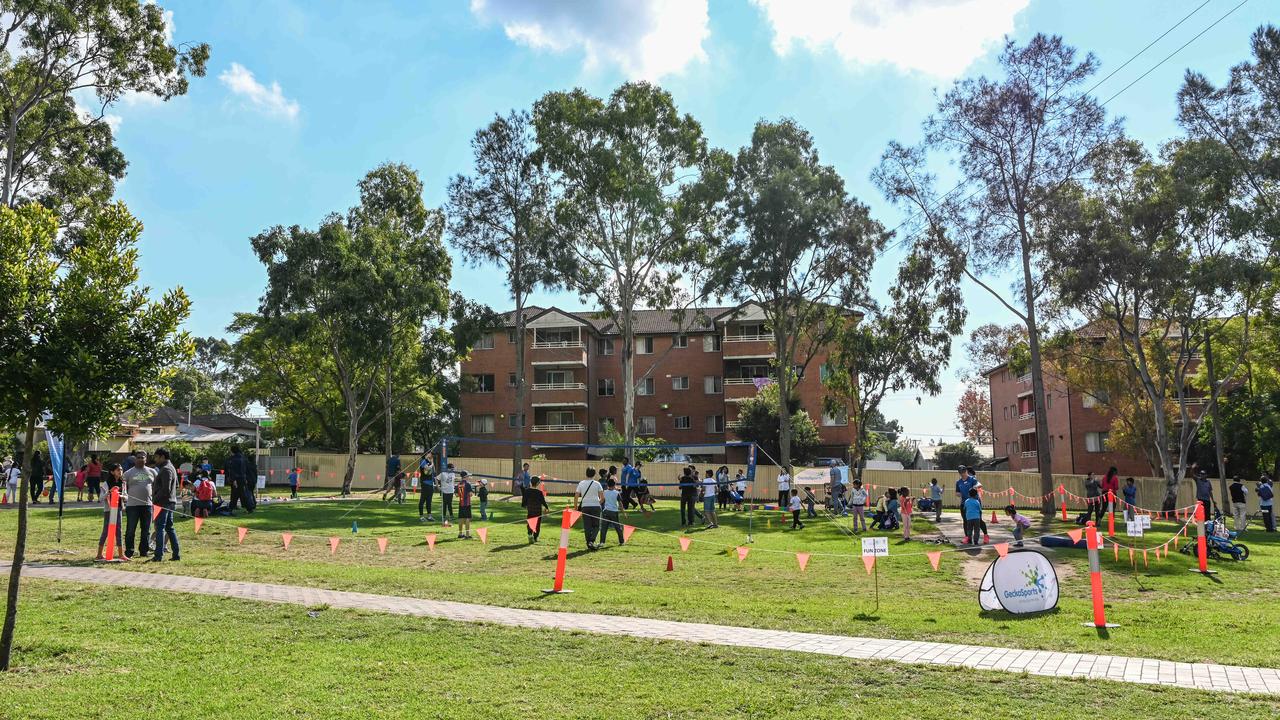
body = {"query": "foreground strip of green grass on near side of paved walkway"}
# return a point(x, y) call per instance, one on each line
point(116, 653)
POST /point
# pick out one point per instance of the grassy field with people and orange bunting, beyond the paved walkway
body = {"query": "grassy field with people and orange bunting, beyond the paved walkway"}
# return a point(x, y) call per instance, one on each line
point(1165, 612)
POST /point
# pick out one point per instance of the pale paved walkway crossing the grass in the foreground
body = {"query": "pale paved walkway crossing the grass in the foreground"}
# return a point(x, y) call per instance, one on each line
point(1037, 663)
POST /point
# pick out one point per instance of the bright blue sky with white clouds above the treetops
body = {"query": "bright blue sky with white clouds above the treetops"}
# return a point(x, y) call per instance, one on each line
point(303, 99)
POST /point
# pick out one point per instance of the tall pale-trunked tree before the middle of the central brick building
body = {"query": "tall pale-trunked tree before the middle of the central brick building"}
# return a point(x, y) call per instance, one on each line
point(641, 208)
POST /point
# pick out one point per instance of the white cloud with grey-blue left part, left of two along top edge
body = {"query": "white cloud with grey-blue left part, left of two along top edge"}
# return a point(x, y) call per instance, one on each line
point(646, 39)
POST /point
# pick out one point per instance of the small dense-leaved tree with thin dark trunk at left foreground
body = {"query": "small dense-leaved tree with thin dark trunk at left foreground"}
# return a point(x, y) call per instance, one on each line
point(81, 340)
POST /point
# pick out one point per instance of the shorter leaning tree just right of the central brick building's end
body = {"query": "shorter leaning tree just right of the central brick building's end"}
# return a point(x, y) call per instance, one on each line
point(900, 347)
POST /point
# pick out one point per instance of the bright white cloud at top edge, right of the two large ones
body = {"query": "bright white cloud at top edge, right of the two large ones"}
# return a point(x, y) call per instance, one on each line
point(939, 38)
